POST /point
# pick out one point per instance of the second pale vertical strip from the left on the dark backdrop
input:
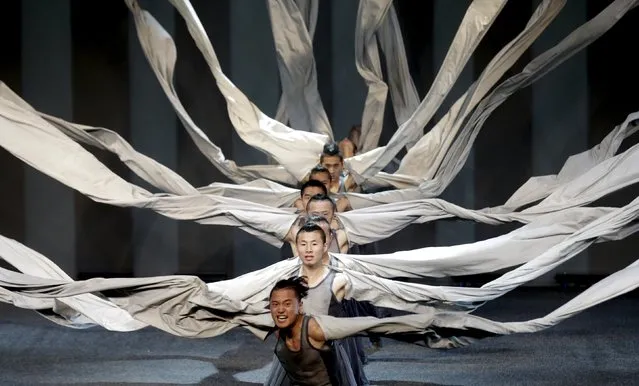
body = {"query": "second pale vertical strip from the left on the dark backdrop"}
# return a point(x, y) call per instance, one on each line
point(154, 133)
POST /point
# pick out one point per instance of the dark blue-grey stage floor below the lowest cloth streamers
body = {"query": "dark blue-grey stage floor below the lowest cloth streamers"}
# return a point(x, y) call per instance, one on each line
point(597, 347)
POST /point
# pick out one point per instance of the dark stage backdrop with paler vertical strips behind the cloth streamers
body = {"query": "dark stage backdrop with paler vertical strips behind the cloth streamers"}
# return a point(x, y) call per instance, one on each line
point(81, 61)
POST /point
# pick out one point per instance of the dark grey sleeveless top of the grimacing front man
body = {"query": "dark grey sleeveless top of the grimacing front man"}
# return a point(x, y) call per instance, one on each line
point(307, 366)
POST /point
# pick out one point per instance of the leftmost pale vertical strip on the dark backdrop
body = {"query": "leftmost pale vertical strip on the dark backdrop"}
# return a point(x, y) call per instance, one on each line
point(47, 86)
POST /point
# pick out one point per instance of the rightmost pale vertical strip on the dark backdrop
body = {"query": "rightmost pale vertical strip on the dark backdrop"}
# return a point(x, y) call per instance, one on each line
point(560, 112)
